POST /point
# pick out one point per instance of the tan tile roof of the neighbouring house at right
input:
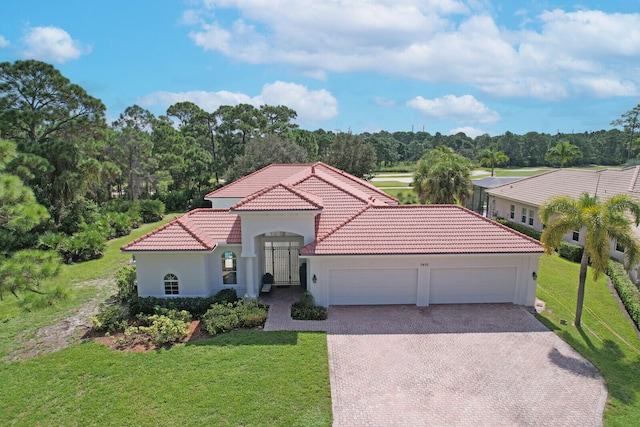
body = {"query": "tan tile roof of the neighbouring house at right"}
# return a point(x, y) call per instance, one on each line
point(604, 183)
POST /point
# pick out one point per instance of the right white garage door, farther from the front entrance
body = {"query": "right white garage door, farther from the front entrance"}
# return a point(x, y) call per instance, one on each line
point(460, 285)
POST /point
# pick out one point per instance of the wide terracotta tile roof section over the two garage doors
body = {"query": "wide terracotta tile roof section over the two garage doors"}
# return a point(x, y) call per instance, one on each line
point(423, 229)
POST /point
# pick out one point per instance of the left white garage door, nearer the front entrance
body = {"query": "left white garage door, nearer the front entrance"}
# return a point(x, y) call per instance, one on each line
point(373, 286)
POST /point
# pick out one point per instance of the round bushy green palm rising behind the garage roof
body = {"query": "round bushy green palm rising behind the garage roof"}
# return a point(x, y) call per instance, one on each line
point(442, 177)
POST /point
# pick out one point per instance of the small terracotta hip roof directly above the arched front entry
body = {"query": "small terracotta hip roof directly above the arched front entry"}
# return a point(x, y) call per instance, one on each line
point(280, 197)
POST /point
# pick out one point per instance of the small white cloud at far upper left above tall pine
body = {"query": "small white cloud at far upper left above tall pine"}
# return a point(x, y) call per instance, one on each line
point(51, 44)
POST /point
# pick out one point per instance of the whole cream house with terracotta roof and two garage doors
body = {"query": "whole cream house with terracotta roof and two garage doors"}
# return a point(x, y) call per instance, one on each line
point(339, 236)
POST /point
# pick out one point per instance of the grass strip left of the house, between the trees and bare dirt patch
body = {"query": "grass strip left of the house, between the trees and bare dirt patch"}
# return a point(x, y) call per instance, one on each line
point(84, 281)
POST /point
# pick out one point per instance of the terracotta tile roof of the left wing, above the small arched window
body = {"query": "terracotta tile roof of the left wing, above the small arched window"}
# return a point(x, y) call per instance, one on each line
point(198, 230)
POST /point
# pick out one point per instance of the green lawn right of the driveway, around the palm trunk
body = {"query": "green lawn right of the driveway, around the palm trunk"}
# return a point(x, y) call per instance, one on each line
point(607, 338)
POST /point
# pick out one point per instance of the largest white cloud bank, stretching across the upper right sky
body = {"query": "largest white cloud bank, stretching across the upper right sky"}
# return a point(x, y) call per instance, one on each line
point(548, 56)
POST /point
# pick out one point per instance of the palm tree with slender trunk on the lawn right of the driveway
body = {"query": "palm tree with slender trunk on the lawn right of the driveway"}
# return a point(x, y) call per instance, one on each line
point(602, 222)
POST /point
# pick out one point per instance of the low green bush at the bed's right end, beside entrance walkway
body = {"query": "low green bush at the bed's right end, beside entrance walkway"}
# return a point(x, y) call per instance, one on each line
point(240, 314)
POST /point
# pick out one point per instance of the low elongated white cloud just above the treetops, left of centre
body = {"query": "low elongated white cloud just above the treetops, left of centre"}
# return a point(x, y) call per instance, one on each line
point(312, 106)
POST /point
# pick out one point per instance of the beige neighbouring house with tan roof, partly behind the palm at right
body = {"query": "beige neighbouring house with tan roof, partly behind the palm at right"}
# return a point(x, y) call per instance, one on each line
point(519, 201)
